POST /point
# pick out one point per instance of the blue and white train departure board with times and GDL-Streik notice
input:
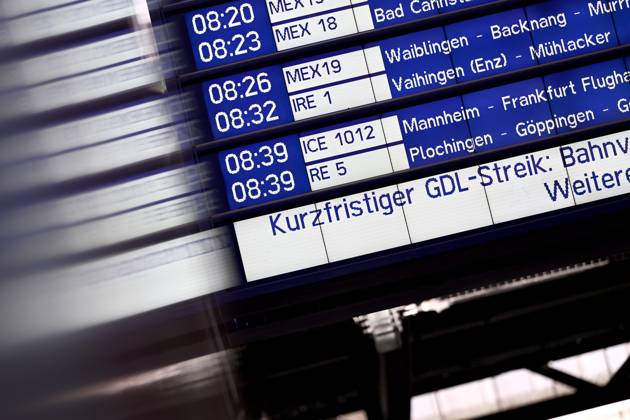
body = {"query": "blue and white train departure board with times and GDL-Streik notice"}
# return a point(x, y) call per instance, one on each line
point(535, 109)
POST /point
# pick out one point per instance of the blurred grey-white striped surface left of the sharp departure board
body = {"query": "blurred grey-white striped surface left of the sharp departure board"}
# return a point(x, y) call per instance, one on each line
point(102, 204)
